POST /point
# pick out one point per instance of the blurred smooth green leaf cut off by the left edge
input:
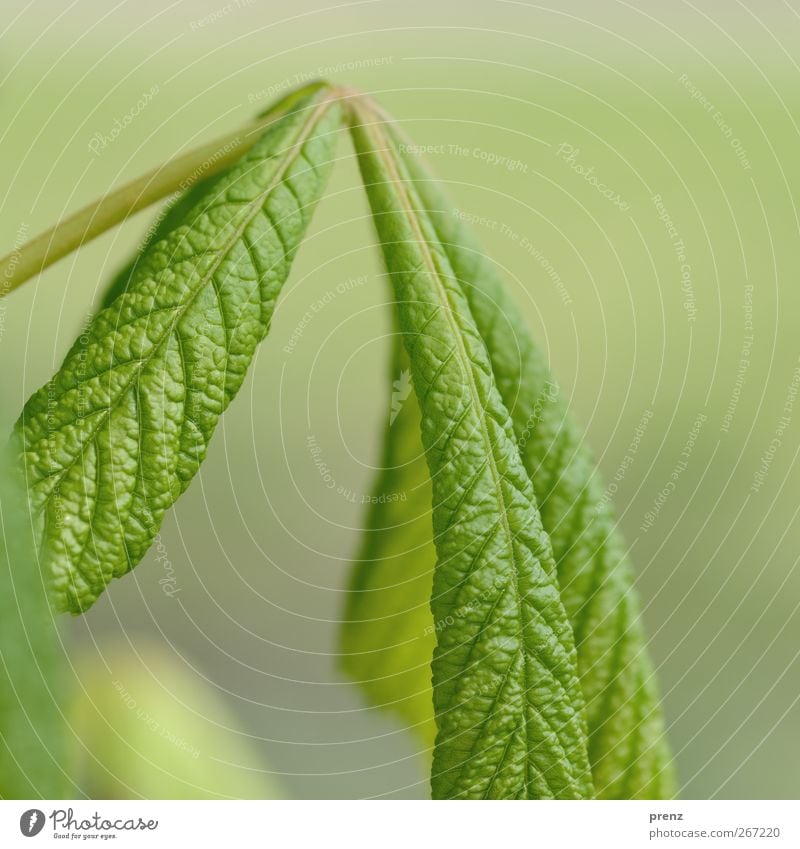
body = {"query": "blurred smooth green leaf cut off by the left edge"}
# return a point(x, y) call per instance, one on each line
point(32, 729)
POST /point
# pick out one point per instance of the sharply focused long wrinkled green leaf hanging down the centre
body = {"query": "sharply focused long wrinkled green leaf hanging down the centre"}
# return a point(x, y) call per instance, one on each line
point(508, 705)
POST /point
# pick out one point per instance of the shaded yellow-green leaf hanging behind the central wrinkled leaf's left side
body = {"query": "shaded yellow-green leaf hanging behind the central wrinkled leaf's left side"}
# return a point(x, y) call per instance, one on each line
point(387, 634)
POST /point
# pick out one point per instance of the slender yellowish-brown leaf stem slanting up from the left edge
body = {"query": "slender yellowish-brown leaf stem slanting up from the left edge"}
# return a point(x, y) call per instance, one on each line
point(106, 212)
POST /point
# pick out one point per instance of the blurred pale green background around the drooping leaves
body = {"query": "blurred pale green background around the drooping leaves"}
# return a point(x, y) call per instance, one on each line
point(633, 167)
